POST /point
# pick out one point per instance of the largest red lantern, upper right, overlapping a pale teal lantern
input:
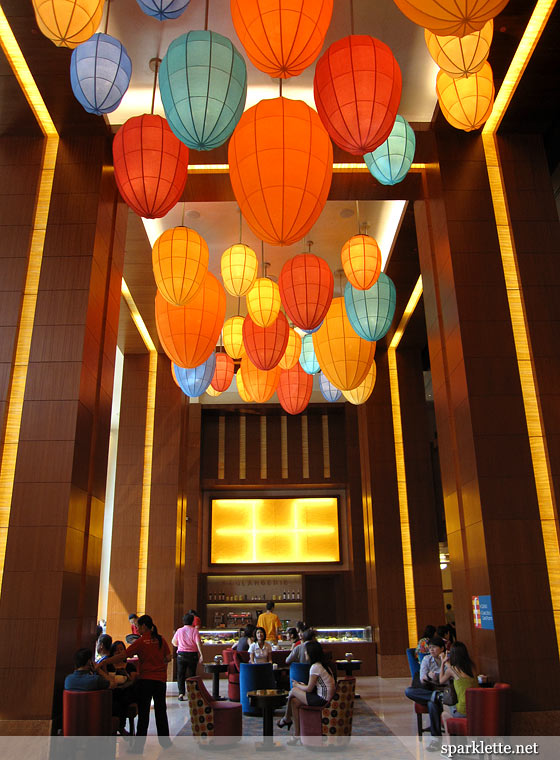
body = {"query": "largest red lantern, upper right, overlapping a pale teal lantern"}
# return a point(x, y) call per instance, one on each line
point(357, 89)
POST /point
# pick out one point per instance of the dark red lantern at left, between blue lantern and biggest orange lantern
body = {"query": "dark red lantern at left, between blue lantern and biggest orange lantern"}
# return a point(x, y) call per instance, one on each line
point(151, 165)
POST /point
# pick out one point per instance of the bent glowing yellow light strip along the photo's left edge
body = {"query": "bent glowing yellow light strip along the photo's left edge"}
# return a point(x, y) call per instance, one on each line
point(29, 300)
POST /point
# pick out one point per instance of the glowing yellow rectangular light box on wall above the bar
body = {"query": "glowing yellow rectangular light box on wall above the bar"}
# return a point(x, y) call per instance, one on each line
point(274, 530)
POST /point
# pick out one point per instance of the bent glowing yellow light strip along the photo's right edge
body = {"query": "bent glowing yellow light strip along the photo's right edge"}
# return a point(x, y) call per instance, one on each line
point(529, 384)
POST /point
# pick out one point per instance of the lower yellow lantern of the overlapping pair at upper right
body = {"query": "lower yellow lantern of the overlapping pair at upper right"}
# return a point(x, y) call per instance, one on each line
point(466, 103)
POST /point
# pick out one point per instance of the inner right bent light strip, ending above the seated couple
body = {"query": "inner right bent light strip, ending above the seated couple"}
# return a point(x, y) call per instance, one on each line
point(408, 569)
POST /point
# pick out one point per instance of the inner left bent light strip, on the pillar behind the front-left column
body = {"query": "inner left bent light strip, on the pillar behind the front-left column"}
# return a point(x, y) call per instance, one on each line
point(148, 449)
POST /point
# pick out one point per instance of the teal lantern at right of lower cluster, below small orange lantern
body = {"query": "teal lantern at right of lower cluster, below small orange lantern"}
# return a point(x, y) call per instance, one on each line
point(371, 311)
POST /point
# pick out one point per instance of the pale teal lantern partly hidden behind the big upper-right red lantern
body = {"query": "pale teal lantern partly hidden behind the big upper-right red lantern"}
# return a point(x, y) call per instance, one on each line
point(390, 162)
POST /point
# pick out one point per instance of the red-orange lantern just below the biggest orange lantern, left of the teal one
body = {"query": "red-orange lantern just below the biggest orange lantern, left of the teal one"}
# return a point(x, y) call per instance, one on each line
point(306, 287)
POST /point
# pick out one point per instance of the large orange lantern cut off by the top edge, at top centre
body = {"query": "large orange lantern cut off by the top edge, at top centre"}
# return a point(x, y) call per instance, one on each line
point(281, 39)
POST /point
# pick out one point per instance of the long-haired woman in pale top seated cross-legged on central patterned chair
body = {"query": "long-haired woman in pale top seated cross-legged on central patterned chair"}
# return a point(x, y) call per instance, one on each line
point(318, 692)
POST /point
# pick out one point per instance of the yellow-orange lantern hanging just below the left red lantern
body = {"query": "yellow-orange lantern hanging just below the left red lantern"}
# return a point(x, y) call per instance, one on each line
point(180, 263)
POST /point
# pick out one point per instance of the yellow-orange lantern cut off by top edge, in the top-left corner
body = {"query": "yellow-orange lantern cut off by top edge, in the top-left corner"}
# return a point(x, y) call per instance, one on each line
point(68, 23)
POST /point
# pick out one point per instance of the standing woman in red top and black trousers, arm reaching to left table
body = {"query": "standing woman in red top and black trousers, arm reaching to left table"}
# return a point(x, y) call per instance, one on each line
point(153, 655)
